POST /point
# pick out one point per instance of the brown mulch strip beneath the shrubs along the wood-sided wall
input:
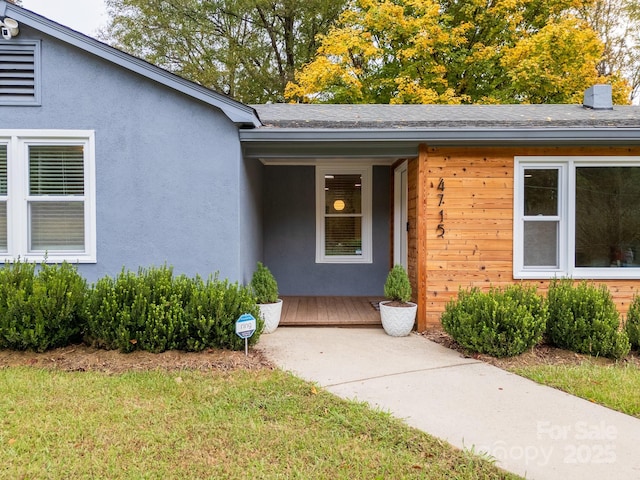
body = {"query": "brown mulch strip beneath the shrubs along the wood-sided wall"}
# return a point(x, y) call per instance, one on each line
point(539, 355)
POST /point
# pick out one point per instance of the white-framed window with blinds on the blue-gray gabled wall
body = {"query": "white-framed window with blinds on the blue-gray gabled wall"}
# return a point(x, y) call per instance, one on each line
point(47, 196)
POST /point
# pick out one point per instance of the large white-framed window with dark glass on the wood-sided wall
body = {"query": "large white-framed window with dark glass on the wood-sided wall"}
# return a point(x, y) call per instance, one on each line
point(577, 217)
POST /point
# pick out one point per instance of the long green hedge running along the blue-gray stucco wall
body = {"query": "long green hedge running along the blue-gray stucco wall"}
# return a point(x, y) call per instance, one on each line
point(48, 306)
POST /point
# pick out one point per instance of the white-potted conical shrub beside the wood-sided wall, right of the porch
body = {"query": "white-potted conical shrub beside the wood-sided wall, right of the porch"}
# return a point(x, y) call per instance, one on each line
point(398, 314)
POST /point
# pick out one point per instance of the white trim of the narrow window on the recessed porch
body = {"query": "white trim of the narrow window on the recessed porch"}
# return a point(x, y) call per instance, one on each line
point(367, 231)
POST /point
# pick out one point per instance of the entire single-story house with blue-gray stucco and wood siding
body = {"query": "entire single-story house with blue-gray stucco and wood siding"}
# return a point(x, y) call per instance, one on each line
point(108, 162)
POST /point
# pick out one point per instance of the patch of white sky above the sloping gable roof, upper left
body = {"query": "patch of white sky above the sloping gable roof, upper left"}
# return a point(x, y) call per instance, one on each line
point(86, 16)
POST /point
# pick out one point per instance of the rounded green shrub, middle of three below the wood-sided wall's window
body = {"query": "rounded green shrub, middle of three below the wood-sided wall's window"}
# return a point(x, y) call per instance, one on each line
point(583, 318)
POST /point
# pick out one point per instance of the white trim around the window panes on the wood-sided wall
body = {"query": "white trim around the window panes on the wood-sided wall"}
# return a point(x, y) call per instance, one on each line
point(566, 211)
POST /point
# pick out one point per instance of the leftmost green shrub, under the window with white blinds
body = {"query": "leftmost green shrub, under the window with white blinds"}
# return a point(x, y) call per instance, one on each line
point(41, 306)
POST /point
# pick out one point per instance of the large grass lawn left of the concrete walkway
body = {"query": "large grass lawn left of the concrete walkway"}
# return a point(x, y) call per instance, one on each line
point(176, 425)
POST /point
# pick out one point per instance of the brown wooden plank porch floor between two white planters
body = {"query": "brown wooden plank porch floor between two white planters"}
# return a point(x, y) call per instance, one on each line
point(330, 311)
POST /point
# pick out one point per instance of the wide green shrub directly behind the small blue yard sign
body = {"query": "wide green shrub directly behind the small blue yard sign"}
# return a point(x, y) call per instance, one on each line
point(155, 311)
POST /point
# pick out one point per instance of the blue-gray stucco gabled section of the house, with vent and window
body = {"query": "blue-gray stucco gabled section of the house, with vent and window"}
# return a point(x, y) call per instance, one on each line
point(161, 177)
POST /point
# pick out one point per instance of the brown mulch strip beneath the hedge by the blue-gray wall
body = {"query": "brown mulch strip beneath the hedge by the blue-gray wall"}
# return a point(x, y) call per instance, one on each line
point(80, 358)
